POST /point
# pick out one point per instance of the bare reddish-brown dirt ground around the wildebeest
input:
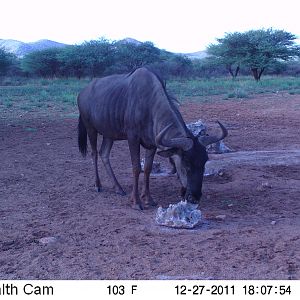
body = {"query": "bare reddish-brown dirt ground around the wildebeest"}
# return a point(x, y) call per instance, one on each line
point(53, 225)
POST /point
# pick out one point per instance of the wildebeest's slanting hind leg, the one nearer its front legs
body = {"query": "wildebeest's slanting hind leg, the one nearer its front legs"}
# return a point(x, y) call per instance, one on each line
point(104, 154)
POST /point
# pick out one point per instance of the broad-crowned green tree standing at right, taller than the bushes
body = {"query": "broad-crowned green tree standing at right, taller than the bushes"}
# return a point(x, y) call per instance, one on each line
point(256, 49)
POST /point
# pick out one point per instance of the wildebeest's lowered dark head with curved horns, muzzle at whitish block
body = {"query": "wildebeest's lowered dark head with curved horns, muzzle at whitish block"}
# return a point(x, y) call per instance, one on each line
point(190, 156)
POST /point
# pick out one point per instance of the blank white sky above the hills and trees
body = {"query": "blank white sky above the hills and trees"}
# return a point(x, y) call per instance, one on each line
point(182, 26)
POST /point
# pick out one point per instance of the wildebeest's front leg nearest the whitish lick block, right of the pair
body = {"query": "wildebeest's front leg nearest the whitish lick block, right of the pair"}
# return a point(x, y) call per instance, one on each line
point(149, 156)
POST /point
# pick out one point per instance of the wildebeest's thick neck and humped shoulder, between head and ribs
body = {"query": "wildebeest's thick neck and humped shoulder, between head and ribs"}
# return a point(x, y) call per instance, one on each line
point(153, 109)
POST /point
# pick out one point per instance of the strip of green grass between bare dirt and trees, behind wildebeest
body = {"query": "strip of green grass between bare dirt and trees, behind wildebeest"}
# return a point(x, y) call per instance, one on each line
point(61, 94)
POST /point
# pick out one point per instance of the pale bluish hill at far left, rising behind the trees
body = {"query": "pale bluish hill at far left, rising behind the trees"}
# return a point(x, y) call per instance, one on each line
point(20, 48)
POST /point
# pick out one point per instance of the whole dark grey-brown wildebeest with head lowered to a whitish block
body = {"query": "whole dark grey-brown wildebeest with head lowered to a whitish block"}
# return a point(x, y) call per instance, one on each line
point(136, 107)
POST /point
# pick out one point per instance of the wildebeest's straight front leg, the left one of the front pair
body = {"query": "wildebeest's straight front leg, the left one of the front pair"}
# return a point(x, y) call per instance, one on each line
point(134, 147)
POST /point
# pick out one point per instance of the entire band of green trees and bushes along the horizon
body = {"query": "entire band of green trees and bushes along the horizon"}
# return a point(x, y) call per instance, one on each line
point(257, 51)
